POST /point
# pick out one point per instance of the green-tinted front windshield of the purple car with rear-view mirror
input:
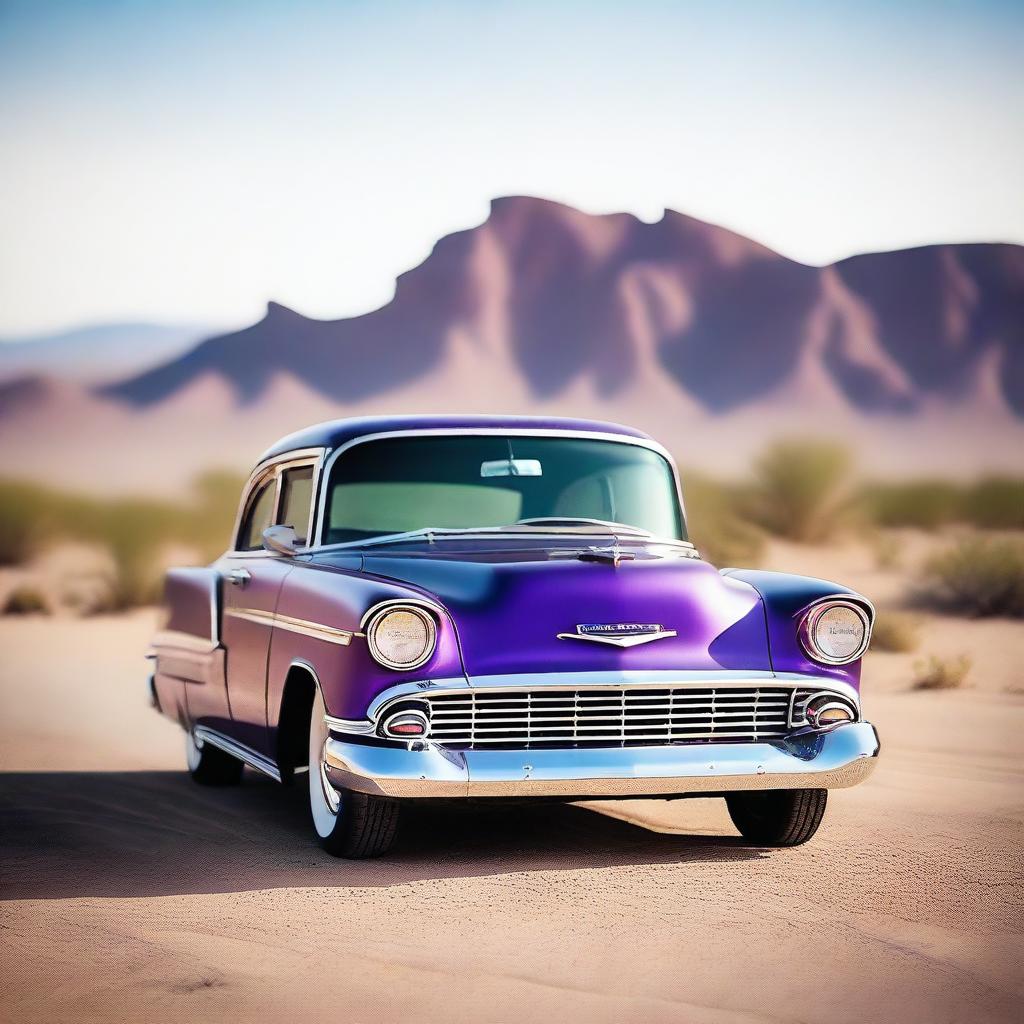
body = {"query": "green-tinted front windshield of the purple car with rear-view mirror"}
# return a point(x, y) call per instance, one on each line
point(396, 486)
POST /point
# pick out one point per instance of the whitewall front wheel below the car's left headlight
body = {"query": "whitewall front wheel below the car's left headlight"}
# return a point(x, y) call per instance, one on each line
point(350, 825)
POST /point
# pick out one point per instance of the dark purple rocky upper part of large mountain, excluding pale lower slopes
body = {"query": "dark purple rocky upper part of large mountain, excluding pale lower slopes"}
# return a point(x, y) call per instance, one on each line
point(570, 295)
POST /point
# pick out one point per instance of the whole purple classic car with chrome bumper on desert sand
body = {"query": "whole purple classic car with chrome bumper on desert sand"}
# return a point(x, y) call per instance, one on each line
point(499, 608)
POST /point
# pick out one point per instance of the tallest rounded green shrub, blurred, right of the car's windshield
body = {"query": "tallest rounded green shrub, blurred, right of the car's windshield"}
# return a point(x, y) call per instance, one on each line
point(801, 490)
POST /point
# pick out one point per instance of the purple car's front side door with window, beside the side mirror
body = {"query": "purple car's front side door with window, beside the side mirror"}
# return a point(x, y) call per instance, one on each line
point(252, 581)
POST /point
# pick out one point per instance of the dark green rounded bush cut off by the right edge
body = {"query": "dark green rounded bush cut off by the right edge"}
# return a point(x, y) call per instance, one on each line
point(977, 577)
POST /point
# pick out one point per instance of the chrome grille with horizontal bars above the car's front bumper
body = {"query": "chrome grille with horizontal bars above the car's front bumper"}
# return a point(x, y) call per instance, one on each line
point(609, 716)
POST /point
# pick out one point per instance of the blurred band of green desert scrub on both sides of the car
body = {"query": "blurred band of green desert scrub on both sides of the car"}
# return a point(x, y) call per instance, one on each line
point(799, 491)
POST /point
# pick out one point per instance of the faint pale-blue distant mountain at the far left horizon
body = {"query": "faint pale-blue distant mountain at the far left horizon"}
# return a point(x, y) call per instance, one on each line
point(95, 355)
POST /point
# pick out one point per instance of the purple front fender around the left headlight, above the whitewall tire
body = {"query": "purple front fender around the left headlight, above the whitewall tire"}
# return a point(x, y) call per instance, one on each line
point(339, 598)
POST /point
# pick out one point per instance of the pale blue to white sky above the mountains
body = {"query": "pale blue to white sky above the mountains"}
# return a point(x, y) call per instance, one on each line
point(186, 162)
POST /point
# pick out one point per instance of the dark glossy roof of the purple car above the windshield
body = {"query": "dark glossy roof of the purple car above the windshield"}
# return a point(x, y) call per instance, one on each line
point(337, 433)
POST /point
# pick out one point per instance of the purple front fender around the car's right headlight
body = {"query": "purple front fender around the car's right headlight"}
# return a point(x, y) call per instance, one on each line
point(787, 600)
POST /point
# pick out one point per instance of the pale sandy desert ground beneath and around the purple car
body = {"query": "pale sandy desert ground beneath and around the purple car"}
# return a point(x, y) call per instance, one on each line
point(127, 892)
